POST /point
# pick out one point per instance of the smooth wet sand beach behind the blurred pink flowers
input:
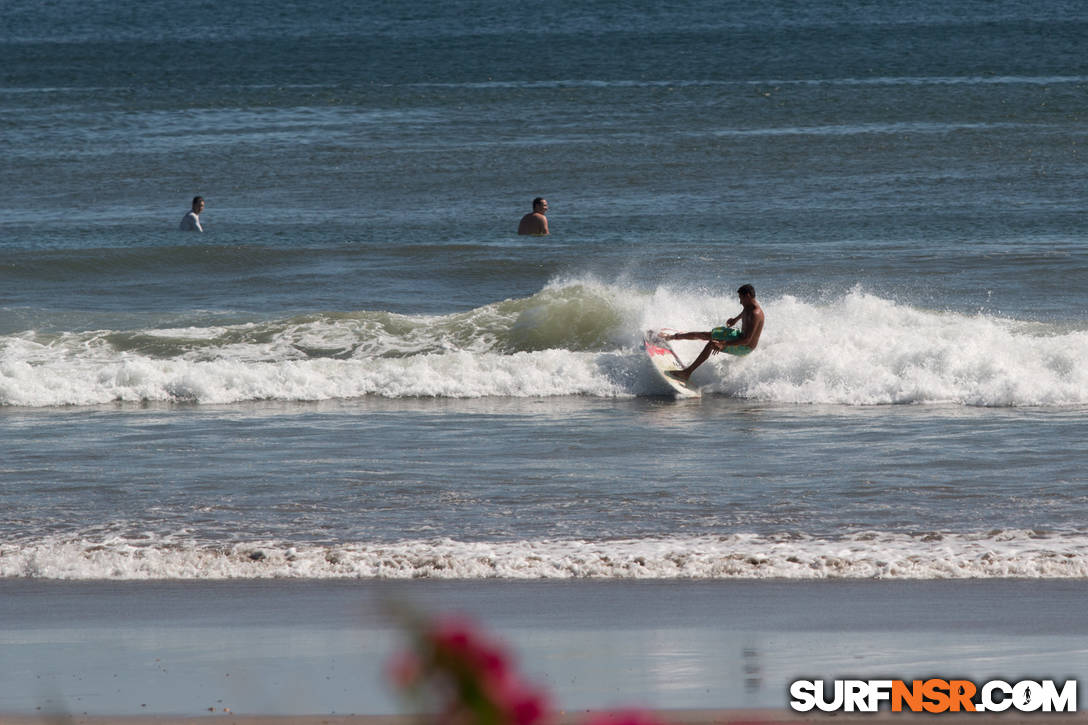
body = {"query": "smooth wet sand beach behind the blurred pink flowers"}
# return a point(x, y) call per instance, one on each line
point(168, 653)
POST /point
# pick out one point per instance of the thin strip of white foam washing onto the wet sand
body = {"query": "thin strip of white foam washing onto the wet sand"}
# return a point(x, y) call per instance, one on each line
point(863, 556)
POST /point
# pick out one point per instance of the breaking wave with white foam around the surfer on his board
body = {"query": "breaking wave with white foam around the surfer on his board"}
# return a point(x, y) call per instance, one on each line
point(575, 338)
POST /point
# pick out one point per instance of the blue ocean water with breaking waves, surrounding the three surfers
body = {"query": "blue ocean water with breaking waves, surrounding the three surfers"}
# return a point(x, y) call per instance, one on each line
point(360, 371)
